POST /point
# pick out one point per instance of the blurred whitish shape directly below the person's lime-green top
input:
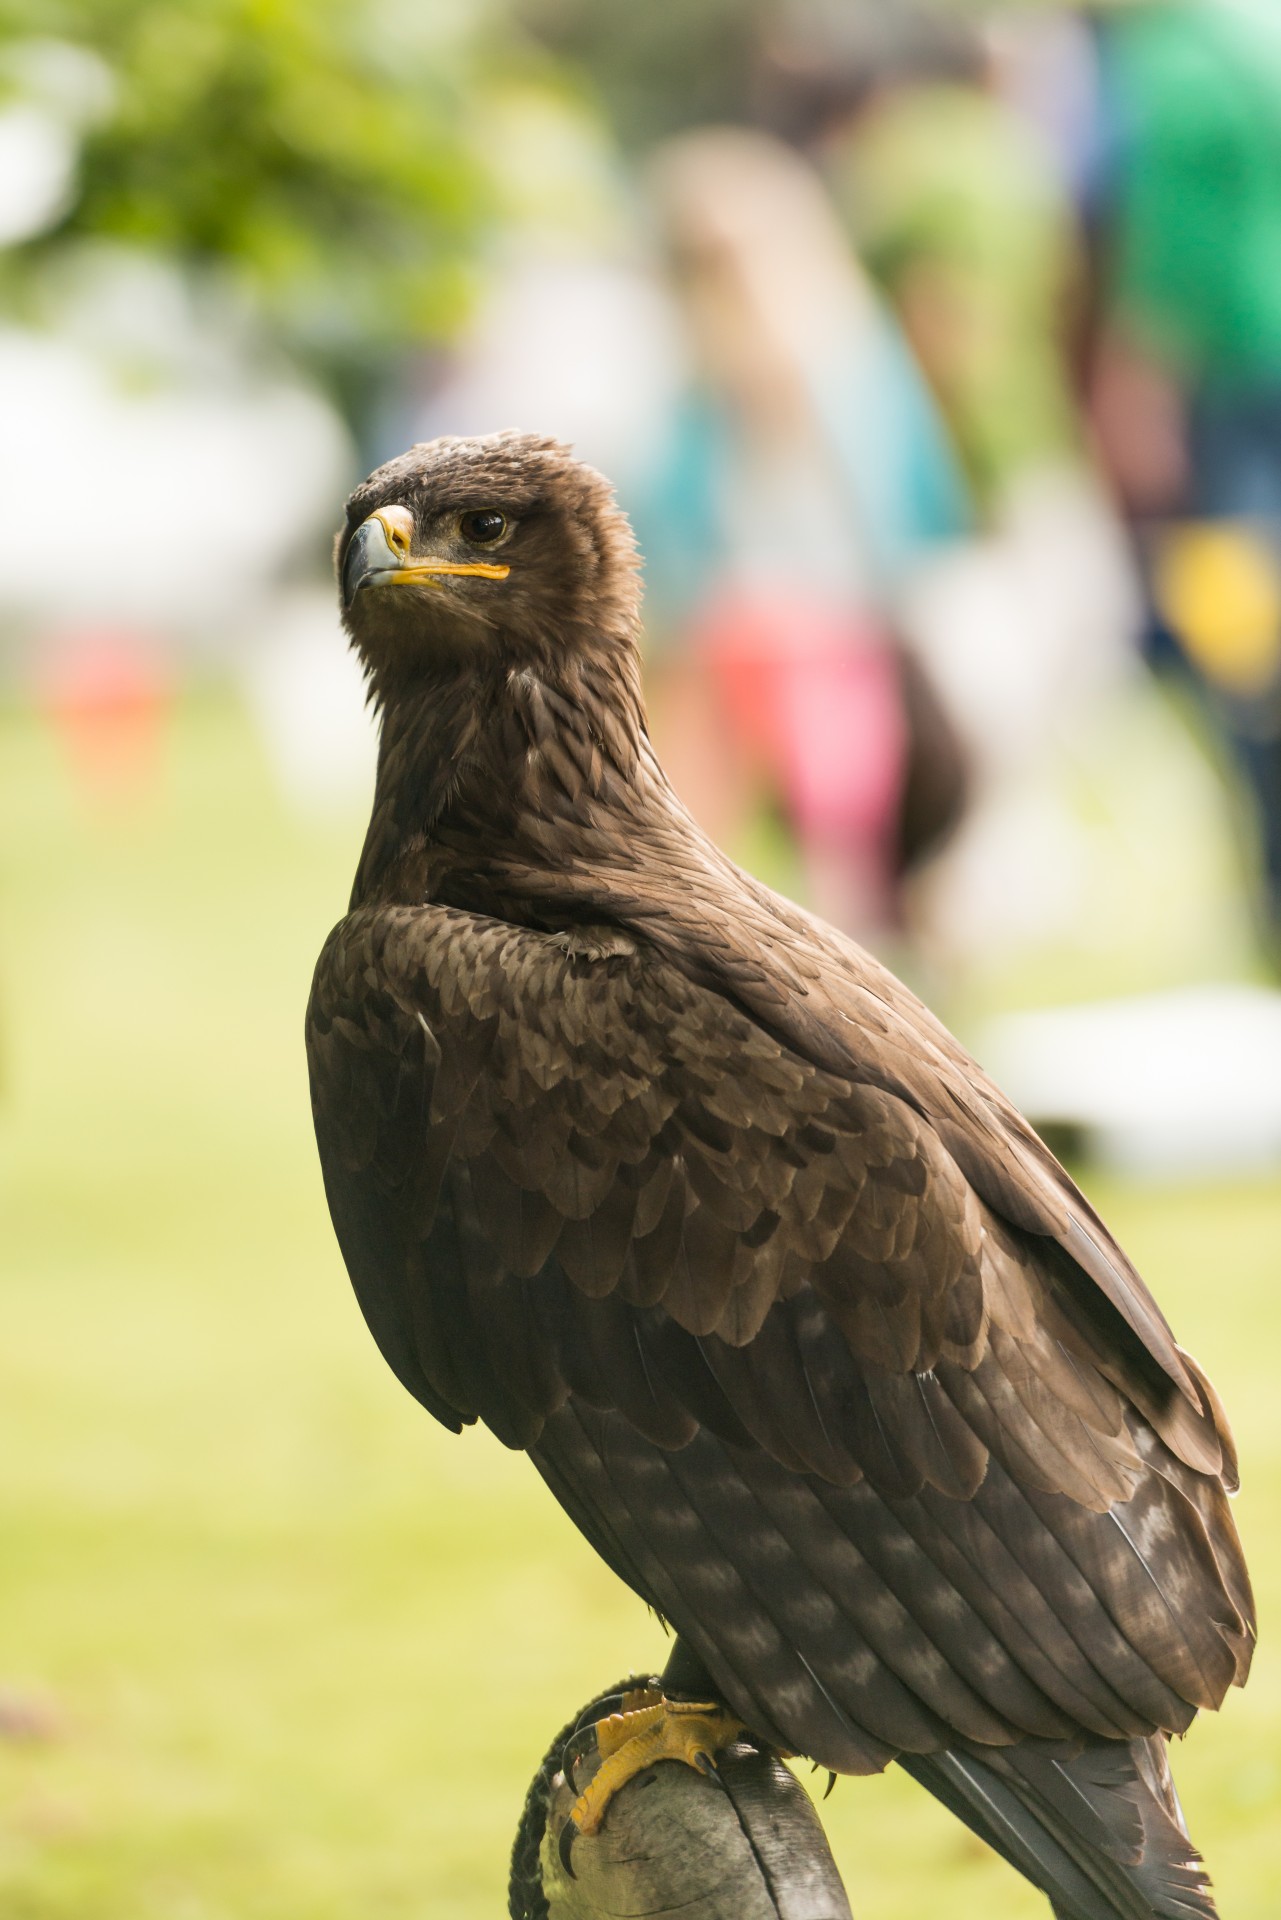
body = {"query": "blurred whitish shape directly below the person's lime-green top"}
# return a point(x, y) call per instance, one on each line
point(1096, 823)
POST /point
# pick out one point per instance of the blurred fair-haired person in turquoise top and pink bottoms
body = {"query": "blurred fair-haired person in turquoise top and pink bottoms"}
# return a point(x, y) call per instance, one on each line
point(800, 483)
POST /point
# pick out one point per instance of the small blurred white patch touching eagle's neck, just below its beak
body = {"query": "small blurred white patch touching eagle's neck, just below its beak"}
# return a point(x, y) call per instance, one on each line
point(308, 696)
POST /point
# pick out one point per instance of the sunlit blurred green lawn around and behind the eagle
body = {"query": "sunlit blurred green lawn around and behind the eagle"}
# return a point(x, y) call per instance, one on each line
point(301, 1650)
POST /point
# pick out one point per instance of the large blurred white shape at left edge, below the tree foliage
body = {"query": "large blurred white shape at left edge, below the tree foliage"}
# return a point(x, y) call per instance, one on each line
point(185, 498)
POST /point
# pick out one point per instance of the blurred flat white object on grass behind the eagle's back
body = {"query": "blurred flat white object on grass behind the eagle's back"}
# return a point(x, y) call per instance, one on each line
point(1167, 1084)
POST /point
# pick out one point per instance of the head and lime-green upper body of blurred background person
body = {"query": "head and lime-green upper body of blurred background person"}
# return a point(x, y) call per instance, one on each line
point(963, 220)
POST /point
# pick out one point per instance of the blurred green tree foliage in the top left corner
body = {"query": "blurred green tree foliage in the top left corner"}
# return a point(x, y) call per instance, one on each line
point(324, 153)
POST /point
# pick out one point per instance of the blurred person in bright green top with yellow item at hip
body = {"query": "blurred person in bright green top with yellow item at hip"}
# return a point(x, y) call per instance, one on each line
point(1186, 381)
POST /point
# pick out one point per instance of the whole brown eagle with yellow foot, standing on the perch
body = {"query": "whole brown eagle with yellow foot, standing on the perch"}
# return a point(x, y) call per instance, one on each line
point(683, 1193)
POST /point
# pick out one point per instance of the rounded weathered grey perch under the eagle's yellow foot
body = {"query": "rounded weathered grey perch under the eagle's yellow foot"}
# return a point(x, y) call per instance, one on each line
point(675, 1842)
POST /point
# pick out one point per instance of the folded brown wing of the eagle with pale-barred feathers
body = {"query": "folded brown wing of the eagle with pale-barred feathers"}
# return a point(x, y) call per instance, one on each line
point(829, 1391)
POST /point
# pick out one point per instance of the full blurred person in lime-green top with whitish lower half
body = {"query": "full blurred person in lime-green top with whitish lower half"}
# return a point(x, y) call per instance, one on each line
point(955, 178)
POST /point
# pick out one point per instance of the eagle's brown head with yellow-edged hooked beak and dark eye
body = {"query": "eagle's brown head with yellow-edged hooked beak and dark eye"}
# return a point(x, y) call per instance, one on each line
point(485, 552)
